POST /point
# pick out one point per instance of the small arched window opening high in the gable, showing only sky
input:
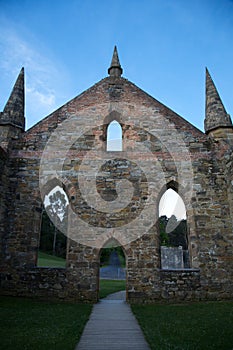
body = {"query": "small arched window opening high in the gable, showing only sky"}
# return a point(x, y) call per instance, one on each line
point(114, 136)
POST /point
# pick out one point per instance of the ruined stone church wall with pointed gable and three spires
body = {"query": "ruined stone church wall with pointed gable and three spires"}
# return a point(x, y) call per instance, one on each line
point(114, 195)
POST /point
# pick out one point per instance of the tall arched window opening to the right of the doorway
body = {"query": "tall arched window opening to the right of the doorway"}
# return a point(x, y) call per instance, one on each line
point(173, 231)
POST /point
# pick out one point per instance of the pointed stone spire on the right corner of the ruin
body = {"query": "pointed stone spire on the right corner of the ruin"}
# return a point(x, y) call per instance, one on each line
point(215, 113)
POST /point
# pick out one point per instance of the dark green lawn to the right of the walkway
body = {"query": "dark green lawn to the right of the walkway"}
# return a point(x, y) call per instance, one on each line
point(199, 326)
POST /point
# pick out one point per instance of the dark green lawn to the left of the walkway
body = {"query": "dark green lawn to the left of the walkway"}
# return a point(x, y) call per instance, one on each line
point(32, 325)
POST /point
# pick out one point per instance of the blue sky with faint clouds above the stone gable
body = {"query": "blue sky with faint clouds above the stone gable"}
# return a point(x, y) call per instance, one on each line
point(164, 46)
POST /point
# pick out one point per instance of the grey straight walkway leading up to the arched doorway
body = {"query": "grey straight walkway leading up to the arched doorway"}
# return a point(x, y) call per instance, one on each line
point(112, 326)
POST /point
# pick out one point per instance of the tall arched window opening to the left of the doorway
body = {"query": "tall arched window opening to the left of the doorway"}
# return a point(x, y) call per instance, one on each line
point(53, 239)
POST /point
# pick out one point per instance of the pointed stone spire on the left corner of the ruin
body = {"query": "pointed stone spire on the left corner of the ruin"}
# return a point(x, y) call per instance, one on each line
point(13, 112)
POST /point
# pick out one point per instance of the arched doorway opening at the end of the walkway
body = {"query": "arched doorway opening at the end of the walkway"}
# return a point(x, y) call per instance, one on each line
point(112, 271)
